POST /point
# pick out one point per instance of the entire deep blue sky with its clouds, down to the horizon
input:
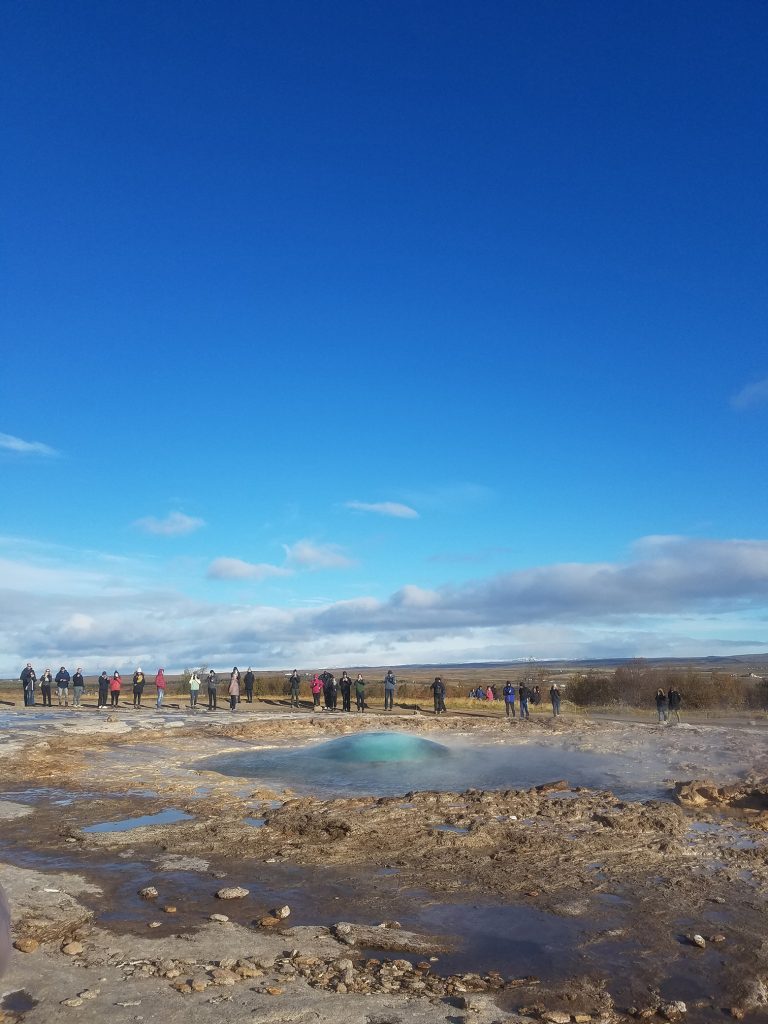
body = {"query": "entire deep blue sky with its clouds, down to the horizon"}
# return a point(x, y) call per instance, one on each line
point(382, 332)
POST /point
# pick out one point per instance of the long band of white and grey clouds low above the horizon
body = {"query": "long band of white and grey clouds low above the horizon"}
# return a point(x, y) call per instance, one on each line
point(673, 595)
